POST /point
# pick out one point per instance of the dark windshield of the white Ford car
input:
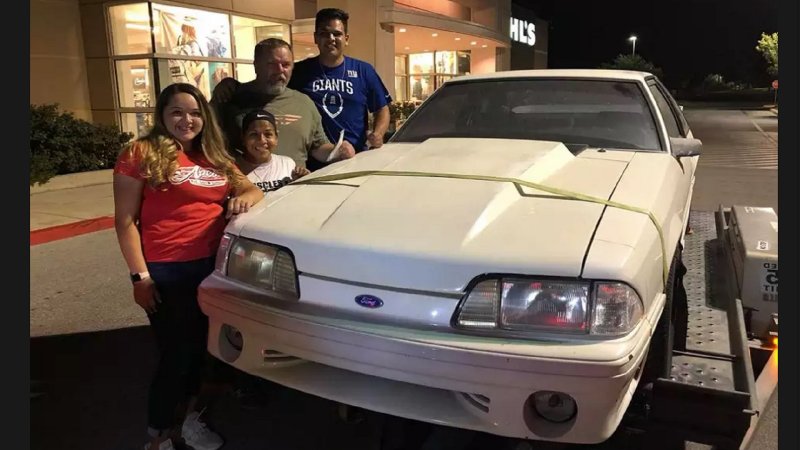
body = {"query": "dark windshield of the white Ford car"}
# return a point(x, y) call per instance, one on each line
point(597, 113)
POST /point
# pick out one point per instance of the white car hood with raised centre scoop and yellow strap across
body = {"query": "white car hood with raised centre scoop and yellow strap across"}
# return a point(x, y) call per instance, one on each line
point(437, 234)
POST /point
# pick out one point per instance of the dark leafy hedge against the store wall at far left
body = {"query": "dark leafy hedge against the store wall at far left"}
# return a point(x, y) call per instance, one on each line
point(60, 143)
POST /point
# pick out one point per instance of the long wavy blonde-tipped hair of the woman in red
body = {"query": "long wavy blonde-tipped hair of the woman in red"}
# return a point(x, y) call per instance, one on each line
point(158, 150)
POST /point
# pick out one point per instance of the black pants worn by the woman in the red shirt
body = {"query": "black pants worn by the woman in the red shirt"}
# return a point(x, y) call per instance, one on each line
point(181, 331)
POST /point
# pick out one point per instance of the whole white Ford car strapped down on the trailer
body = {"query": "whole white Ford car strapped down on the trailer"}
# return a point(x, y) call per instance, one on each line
point(500, 265)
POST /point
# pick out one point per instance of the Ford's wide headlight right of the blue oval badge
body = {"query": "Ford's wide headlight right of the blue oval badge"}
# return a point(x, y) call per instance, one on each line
point(505, 305)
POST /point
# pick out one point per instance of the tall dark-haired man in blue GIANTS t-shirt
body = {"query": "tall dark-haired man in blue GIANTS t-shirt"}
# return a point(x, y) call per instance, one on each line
point(344, 89)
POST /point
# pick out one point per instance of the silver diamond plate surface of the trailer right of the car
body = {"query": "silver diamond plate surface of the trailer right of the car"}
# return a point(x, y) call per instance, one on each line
point(707, 329)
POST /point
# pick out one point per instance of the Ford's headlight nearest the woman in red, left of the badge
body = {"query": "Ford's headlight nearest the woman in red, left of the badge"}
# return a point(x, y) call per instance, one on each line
point(258, 264)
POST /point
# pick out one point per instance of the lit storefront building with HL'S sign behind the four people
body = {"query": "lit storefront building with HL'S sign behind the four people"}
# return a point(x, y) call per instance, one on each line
point(106, 61)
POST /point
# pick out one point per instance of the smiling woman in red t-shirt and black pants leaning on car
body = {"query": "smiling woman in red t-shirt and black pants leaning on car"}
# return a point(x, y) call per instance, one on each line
point(171, 190)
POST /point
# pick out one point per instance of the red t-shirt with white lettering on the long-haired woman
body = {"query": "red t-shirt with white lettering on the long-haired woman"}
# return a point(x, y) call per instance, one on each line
point(181, 220)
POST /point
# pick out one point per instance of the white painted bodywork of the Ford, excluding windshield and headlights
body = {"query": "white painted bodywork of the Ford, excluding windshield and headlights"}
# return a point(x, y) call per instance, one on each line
point(418, 243)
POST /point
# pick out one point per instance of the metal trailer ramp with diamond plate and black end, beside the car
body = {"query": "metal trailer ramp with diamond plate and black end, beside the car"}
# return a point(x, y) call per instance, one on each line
point(709, 394)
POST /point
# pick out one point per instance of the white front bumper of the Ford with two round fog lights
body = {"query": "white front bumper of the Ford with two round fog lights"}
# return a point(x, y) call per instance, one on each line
point(437, 377)
